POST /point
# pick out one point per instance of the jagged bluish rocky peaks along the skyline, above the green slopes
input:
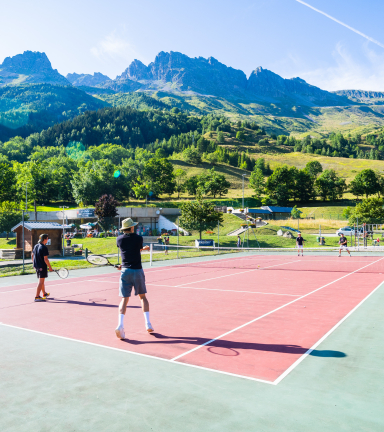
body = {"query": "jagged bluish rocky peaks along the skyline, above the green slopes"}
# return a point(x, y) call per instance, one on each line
point(177, 73)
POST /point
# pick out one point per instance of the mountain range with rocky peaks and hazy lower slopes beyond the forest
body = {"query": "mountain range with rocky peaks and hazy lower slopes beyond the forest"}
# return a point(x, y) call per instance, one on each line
point(34, 96)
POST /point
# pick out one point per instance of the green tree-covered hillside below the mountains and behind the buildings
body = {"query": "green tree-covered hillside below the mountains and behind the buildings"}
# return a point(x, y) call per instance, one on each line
point(132, 154)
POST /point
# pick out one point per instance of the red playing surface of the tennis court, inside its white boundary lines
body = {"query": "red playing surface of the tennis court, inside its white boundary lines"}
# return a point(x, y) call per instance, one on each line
point(254, 323)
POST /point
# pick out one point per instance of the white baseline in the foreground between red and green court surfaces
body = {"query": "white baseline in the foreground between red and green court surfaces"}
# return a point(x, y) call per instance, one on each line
point(140, 354)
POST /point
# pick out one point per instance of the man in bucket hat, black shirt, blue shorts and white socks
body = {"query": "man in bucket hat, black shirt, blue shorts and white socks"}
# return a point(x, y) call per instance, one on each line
point(132, 274)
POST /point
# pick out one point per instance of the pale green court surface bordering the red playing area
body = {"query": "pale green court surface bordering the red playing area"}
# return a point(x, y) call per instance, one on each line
point(53, 384)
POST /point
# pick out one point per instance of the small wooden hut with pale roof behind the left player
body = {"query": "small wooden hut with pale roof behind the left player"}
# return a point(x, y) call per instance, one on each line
point(32, 231)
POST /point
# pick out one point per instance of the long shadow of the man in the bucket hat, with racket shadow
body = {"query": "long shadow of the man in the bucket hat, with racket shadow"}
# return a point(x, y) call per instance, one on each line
point(231, 346)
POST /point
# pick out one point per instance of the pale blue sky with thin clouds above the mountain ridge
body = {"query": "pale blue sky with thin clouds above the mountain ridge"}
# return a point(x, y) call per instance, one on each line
point(284, 36)
